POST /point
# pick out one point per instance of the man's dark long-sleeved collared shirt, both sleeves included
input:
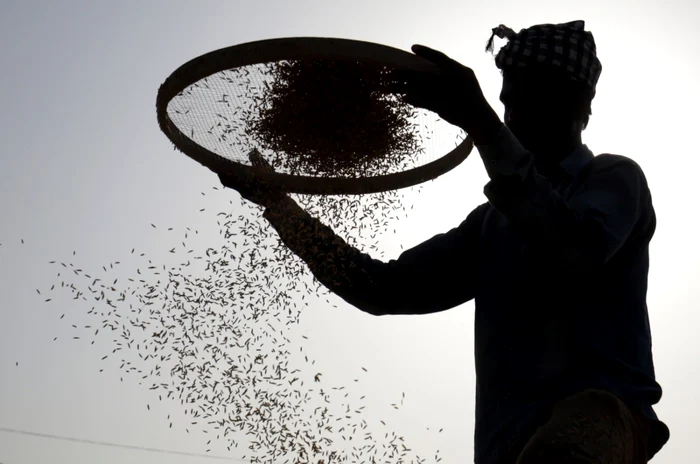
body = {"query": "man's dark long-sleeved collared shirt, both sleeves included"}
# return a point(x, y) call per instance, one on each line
point(557, 266)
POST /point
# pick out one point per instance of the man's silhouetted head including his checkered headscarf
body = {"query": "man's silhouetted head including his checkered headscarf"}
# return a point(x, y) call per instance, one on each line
point(550, 72)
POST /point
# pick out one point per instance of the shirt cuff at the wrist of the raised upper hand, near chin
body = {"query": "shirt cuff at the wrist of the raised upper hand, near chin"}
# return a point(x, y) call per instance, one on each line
point(505, 155)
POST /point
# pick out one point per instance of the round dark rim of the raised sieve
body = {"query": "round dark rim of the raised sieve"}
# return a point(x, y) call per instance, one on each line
point(299, 48)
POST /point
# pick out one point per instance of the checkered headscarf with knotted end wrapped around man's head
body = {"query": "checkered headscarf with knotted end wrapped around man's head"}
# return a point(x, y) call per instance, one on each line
point(566, 46)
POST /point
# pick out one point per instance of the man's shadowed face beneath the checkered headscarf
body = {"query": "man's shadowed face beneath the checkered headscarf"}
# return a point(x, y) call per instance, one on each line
point(537, 107)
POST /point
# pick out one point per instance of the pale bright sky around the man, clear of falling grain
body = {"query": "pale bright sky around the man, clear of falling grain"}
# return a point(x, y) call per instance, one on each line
point(84, 167)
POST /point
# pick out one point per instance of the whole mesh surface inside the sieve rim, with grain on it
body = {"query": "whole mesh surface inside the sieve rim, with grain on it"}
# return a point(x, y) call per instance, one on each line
point(336, 132)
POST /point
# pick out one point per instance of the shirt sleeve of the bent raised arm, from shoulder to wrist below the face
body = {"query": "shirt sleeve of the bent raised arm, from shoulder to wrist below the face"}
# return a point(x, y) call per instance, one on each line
point(578, 234)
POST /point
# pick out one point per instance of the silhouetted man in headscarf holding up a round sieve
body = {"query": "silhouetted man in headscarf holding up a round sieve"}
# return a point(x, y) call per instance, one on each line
point(556, 260)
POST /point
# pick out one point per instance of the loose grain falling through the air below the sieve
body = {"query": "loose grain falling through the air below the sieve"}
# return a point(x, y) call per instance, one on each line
point(211, 327)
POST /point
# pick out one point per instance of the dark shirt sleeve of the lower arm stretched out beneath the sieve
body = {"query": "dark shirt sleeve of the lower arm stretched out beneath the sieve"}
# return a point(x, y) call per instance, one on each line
point(436, 275)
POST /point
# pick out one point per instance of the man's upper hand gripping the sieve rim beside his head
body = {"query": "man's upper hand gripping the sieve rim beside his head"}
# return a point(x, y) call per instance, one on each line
point(454, 94)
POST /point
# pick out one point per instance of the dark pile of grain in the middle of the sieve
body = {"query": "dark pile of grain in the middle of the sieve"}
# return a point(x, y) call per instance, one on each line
point(332, 118)
